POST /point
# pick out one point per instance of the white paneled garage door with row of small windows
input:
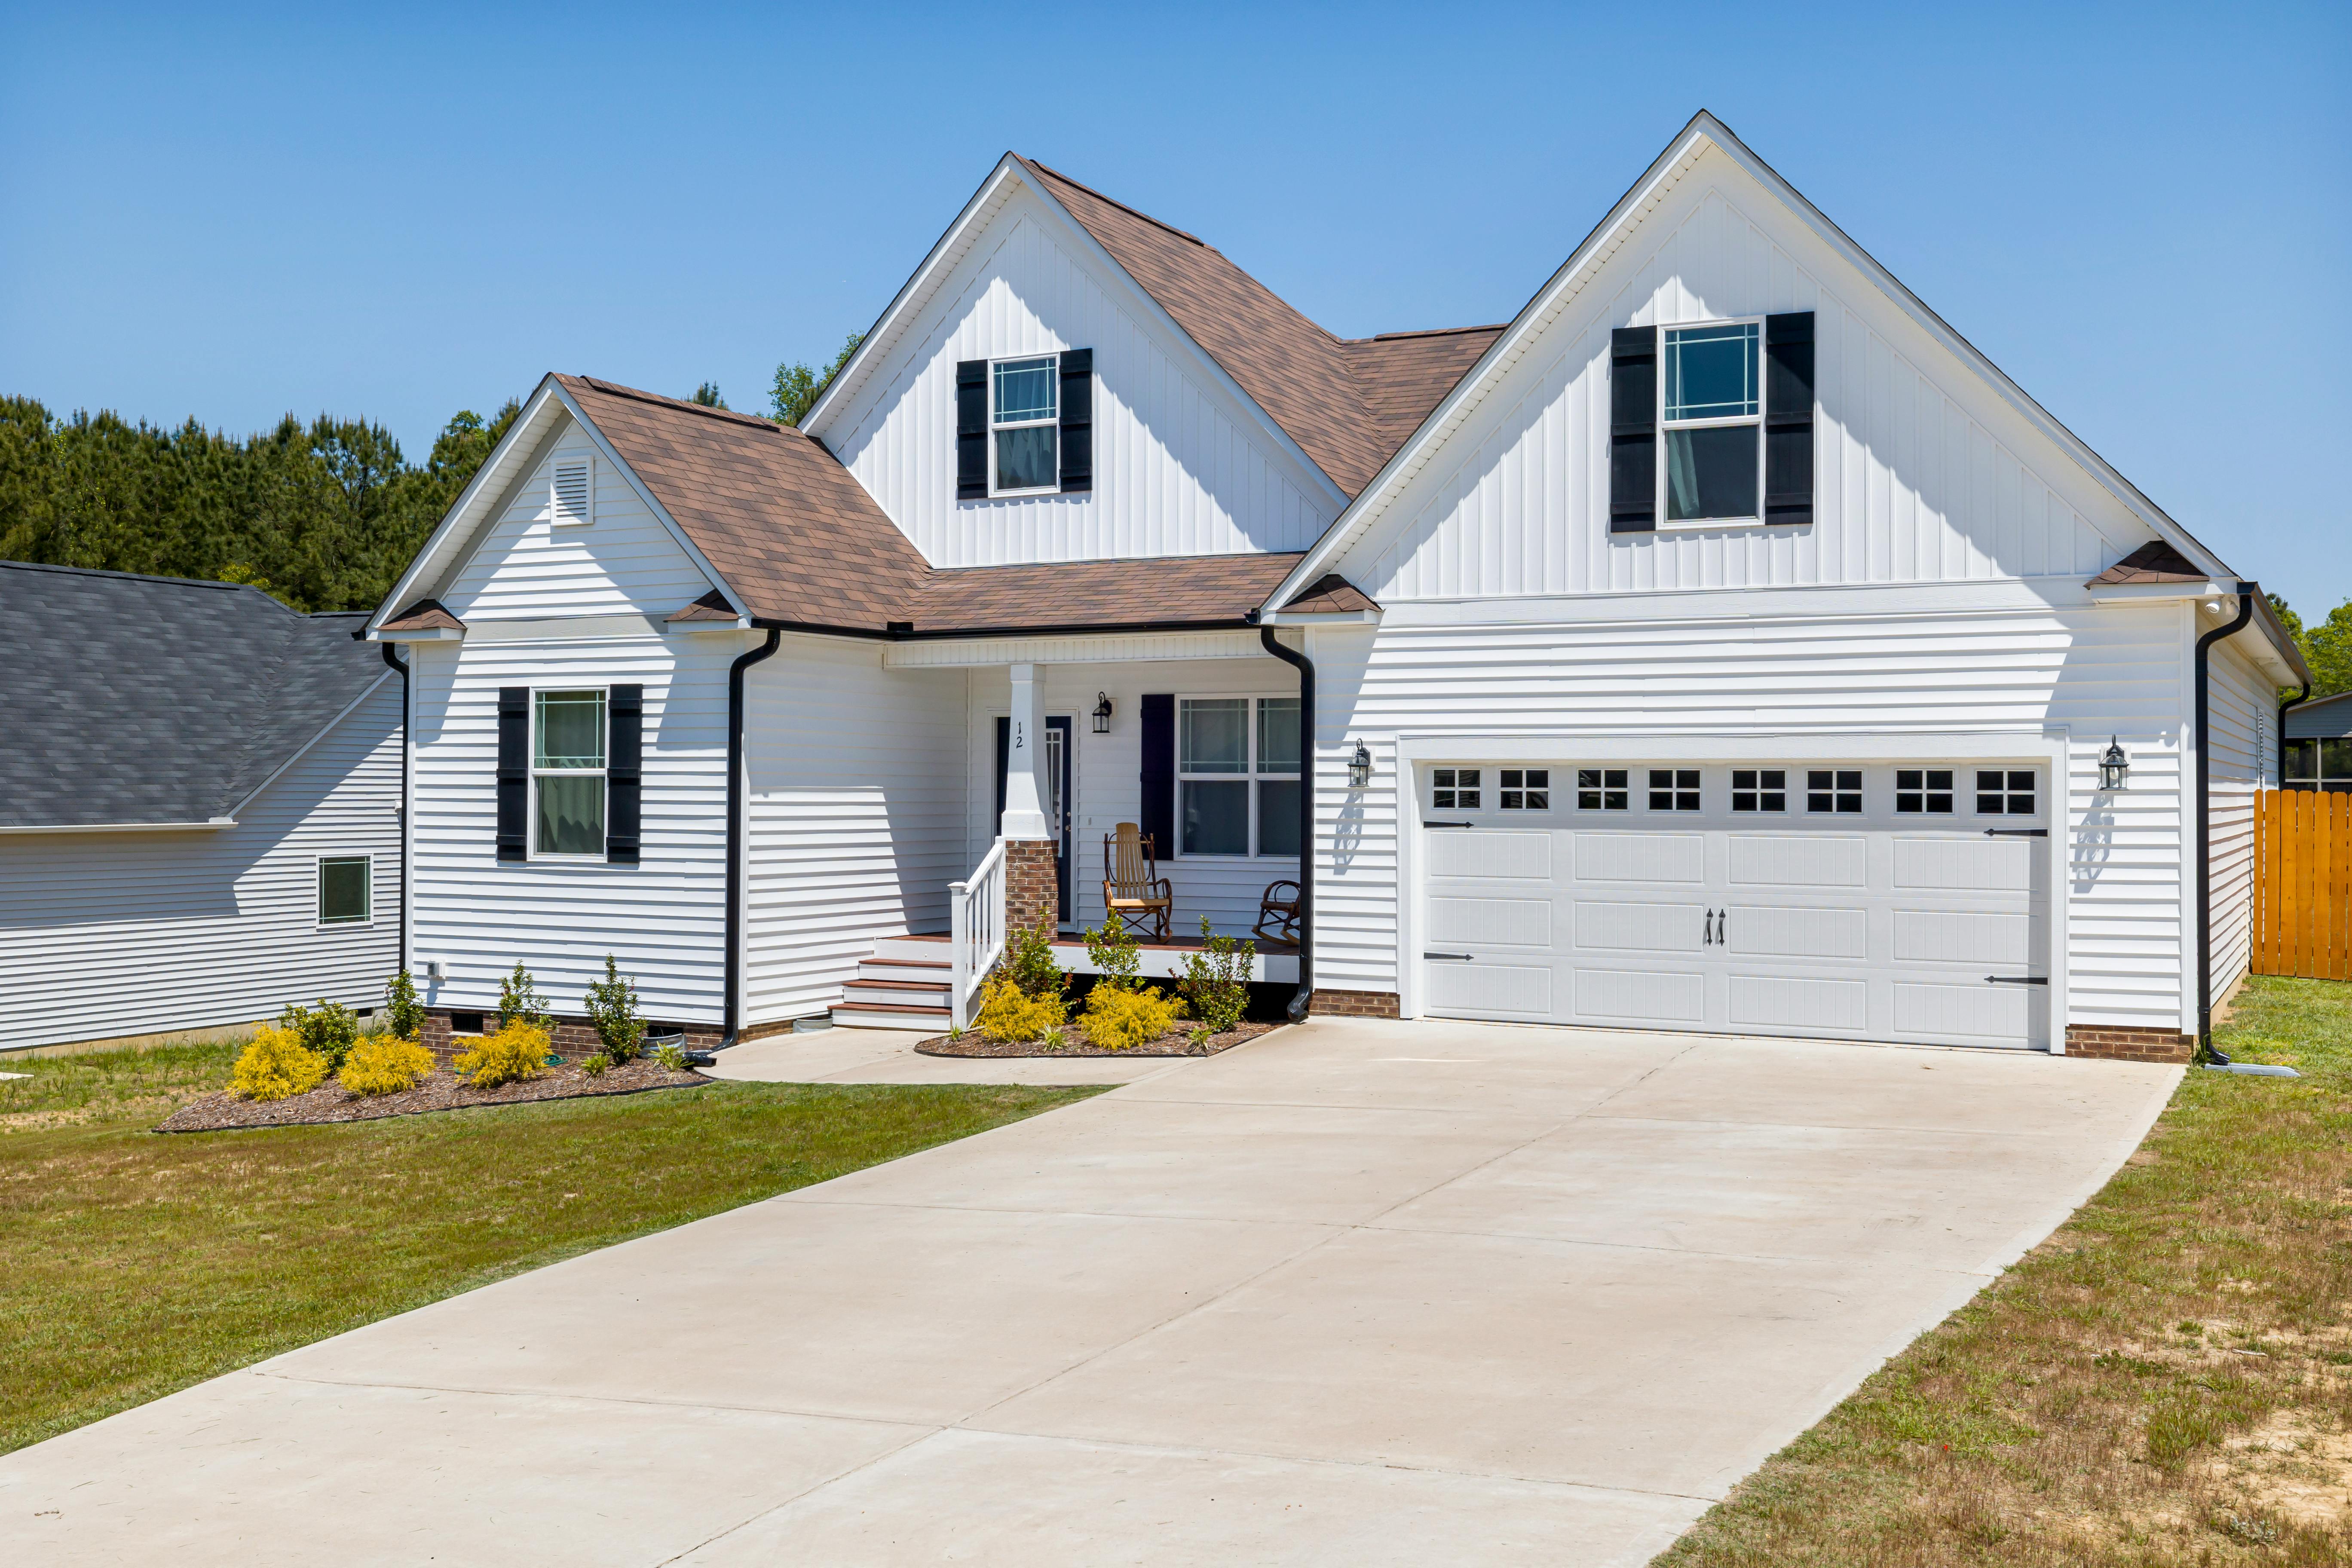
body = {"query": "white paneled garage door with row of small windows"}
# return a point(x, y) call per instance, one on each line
point(1855, 902)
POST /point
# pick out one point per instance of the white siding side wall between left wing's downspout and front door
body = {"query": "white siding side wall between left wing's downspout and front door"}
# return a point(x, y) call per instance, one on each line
point(855, 817)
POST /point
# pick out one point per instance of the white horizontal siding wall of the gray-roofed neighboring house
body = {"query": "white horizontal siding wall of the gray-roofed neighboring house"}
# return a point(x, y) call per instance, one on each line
point(109, 934)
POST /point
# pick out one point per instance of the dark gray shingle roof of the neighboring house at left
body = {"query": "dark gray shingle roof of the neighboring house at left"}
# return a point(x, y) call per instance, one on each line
point(135, 699)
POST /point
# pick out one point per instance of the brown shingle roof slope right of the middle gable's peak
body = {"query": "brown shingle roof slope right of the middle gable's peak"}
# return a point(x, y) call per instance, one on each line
point(1349, 403)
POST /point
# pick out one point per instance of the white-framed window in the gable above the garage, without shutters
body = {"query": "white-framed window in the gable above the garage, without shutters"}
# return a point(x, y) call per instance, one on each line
point(1711, 415)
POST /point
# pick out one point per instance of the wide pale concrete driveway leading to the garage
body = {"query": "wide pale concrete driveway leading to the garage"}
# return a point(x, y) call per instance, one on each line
point(1354, 1294)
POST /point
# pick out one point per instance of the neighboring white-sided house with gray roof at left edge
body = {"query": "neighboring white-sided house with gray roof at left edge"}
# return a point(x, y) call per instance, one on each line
point(199, 808)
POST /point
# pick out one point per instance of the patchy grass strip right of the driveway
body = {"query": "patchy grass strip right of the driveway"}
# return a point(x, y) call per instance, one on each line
point(2167, 1381)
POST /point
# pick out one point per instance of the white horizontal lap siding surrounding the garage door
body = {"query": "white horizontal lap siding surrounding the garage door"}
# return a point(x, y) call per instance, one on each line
point(1796, 664)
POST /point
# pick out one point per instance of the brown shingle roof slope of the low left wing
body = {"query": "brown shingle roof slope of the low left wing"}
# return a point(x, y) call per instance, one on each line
point(784, 523)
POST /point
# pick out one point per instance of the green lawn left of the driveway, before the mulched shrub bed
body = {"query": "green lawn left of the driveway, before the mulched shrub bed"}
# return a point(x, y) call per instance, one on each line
point(135, 1264)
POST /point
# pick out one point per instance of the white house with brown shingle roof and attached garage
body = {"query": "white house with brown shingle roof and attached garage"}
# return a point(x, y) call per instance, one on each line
point(1718, 645)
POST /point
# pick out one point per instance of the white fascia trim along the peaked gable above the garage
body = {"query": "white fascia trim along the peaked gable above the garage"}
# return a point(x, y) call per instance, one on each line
point(1706, 130)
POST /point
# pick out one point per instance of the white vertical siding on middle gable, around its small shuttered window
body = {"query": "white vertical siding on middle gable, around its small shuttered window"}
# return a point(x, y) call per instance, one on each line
point(1180, 464)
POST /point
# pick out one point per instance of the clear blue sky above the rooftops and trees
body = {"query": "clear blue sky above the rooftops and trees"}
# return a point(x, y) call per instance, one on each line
point(399, 213)
